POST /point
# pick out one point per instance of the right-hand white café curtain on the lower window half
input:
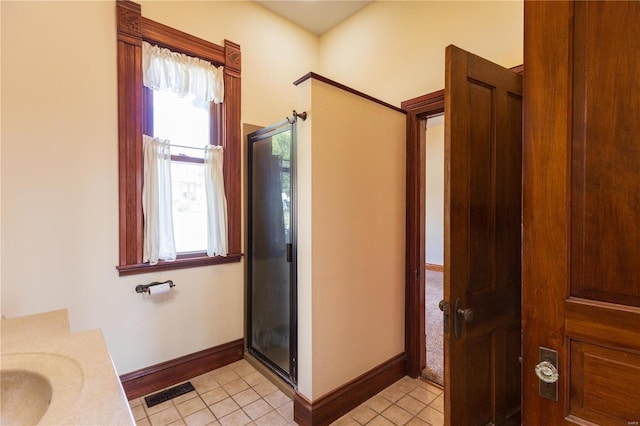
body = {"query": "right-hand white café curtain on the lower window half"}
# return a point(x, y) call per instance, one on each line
point(217, 228)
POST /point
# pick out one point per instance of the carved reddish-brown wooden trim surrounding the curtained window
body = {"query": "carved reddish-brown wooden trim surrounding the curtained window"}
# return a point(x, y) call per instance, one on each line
point(133, 28)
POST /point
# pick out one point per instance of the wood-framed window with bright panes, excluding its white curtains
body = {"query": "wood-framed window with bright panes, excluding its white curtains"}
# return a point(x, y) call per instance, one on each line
point(184, 122)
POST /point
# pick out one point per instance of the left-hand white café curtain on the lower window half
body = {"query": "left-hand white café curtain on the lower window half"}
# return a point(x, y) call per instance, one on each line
point(158, 240)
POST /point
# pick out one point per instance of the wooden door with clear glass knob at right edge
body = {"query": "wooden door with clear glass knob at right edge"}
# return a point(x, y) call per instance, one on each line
point(581, 223)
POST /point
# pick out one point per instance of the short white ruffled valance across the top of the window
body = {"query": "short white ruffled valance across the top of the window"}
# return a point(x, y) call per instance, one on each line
point(163, 69)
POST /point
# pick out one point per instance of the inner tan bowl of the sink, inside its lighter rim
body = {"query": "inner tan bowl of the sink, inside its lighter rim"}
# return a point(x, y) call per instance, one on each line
point(25, 397)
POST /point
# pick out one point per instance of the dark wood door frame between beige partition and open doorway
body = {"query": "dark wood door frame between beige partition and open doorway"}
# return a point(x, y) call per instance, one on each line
point(415, 343)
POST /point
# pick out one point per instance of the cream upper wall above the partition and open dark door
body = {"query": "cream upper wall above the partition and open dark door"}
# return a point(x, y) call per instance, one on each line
point(394, 50)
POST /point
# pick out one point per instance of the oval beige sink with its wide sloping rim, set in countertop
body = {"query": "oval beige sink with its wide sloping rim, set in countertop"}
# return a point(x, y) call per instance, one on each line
point(37, 387)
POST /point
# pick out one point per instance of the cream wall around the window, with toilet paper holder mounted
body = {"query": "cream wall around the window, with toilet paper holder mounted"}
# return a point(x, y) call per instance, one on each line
point(60, 170)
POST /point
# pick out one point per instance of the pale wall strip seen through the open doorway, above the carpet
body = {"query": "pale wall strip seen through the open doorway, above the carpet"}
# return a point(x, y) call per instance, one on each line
point(434, 192)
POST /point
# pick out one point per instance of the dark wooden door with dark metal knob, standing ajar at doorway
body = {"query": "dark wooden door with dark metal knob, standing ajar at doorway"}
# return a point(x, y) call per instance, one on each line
point(483, 157)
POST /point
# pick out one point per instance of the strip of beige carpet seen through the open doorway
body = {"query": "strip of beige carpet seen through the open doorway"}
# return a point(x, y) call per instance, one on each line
point(433, 327)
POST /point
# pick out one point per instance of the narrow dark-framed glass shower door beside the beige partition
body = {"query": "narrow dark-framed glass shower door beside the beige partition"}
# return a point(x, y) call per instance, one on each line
point(271, 261)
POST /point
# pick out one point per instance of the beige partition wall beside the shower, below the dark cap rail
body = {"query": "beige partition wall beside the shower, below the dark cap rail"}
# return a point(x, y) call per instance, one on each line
point(352, 222)
